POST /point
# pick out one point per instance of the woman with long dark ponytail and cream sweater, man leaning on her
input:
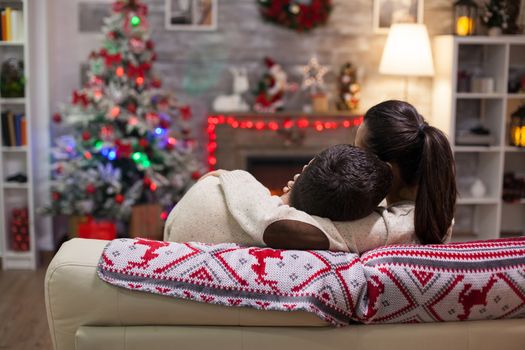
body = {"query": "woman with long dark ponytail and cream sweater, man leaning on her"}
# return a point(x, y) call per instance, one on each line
point(421, 201)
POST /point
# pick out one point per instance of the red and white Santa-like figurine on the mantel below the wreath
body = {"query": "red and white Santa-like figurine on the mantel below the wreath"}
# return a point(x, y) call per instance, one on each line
point(269, 95)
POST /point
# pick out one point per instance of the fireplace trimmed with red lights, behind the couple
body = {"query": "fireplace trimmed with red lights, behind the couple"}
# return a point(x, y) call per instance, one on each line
point(274, 147)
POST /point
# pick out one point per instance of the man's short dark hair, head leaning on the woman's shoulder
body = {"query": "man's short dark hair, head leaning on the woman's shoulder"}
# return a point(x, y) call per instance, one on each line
point(342, 183)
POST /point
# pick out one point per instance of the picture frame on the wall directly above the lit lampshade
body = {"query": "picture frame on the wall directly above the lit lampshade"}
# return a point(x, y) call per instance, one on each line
point(387, 12)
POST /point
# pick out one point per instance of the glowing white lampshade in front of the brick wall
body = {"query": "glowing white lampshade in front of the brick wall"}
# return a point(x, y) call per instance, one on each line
point(407, 51)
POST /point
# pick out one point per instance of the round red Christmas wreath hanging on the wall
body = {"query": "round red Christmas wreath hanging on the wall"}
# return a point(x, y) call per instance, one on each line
point(300, 15)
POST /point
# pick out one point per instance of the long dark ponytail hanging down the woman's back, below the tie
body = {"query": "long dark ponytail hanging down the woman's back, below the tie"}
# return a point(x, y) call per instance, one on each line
point(436, 194)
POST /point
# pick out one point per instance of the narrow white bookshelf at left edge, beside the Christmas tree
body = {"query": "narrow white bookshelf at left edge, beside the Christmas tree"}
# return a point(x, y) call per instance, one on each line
point(17, 159)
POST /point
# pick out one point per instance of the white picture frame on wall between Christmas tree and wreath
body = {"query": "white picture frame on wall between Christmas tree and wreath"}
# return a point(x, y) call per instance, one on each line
point(191, 14)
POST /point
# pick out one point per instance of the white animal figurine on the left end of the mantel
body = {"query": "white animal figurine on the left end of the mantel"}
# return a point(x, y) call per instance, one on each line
point(235, 102)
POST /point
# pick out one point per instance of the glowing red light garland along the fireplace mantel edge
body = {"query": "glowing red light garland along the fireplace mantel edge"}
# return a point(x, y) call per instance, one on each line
point(258, 124)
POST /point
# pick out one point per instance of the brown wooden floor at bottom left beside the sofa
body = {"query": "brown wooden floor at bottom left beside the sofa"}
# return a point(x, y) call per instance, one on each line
point(23, 322)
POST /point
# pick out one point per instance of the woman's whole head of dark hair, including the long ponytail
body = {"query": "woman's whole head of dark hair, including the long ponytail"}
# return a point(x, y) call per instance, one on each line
point(398, 134)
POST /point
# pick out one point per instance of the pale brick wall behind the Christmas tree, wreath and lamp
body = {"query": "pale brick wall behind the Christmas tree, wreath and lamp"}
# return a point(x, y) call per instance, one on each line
point(194, 63)
